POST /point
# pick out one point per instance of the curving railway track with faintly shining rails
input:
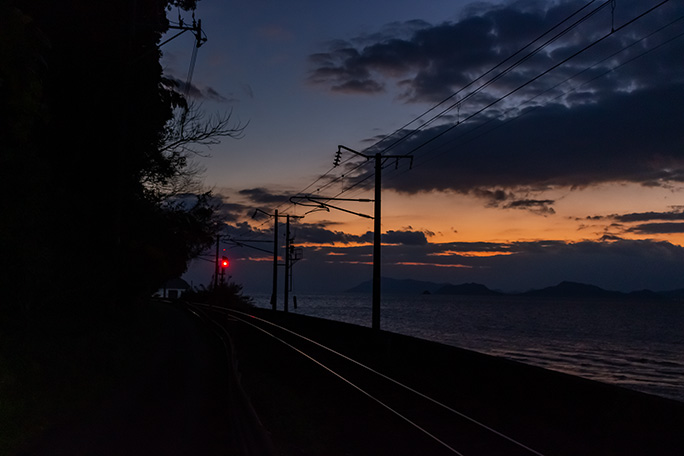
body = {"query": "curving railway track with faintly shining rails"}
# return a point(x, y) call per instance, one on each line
point(408, 421)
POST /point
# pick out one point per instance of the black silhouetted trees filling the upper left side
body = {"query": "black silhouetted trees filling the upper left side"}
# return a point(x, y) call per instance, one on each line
point(84, 116)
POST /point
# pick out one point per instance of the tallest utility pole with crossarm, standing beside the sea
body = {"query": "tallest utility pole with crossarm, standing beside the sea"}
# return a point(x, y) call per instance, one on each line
point(377, 225)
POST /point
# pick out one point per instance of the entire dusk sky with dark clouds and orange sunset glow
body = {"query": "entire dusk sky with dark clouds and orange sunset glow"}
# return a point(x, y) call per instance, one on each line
point(557, 152)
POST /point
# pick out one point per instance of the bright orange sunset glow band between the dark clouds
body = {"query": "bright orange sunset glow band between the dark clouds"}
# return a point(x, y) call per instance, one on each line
point(584, 214)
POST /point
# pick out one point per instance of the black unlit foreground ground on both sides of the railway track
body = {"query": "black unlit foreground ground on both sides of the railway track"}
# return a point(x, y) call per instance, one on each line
point(177, 396)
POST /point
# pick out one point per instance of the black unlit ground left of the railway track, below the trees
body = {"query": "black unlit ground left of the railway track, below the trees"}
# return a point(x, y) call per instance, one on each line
point(174, 395)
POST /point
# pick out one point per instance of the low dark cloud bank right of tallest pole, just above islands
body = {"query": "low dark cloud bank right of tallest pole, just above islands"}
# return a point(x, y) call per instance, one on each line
point(616, 264)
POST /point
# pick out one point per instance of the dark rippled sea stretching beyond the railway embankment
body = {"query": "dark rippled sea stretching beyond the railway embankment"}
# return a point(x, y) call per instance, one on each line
point(636, 345)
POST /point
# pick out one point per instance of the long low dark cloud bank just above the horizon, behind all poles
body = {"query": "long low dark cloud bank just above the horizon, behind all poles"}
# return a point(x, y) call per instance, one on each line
point(612, 263)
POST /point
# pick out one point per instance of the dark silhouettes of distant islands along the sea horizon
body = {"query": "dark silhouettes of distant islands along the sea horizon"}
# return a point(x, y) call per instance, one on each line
point(565, 289)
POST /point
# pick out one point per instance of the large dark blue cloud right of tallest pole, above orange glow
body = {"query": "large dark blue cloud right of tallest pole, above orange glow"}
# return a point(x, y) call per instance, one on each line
point(634, 137)
